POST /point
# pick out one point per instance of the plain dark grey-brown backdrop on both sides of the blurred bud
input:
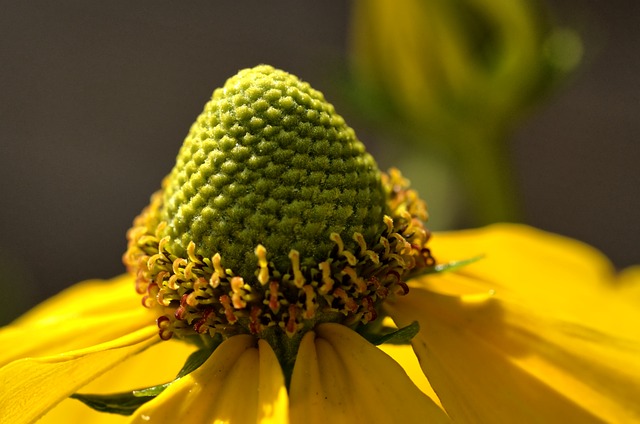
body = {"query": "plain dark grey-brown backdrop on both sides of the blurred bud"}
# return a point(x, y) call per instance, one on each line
point(98, 96)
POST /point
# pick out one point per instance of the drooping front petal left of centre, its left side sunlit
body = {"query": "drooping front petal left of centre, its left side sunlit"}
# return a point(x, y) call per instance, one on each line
point(239, 383)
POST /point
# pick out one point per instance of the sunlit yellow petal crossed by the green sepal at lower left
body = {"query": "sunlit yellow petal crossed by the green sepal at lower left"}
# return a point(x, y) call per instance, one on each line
point(156, 365)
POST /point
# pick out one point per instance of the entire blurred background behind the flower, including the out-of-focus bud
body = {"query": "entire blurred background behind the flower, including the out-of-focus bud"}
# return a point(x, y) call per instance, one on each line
point(497, 110)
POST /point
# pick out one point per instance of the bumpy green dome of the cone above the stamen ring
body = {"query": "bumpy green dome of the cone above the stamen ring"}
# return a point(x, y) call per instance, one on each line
point(270, 162)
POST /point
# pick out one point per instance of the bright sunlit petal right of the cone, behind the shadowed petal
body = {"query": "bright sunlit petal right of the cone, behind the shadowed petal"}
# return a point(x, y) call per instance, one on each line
point(517, 252)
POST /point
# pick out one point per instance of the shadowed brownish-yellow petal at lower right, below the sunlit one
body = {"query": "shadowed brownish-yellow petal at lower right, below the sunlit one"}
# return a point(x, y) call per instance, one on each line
point(492, 361)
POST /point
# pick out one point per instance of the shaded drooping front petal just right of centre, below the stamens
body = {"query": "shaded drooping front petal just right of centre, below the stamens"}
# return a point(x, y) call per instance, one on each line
point(341, 378)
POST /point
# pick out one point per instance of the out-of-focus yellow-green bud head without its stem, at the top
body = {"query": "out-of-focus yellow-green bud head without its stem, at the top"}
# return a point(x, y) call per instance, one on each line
point(461, 67)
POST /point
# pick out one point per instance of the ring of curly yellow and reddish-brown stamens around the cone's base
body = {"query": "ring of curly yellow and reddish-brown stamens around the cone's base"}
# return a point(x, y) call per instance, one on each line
point(197, 295)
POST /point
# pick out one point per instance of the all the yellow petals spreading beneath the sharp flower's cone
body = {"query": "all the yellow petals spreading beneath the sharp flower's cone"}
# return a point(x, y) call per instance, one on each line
point(540, 330)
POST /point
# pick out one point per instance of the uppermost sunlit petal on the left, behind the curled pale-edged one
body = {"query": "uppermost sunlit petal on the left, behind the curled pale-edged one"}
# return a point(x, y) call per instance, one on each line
point(84, 315)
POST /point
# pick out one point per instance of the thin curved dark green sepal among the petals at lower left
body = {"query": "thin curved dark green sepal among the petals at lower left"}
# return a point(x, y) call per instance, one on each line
point(126, 403)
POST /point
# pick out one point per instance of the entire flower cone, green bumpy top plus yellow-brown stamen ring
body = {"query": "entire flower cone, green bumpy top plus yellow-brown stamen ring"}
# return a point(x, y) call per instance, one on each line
point(274, 219)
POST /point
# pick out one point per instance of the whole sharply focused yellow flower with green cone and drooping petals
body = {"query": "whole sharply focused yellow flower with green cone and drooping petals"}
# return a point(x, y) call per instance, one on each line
point(538, 330)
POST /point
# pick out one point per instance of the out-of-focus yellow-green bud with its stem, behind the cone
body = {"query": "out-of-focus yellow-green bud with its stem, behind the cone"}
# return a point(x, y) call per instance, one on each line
point(456, 77)
